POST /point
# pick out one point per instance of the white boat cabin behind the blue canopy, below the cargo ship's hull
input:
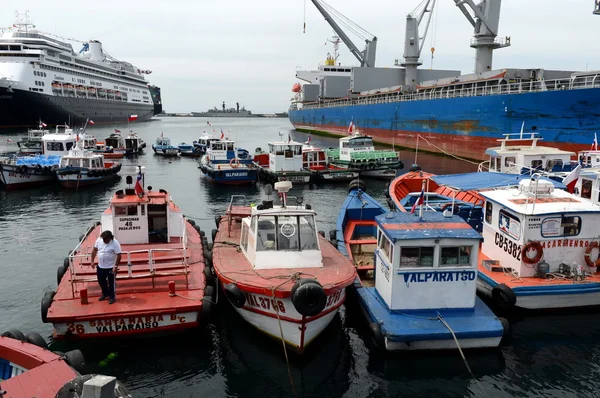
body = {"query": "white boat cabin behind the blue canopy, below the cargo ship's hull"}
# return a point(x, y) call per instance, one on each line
point(527, 159)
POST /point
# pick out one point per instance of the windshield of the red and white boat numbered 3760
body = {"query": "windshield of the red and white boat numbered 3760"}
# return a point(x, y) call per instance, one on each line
point(286, 233)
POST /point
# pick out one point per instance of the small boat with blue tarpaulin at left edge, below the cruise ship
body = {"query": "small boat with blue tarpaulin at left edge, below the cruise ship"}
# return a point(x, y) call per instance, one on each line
point(19, 172)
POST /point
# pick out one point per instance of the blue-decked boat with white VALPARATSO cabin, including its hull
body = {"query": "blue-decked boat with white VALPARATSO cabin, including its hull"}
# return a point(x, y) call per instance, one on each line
point(423, 294)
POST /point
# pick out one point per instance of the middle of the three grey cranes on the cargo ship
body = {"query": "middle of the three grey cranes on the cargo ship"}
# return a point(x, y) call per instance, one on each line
point(413, 43)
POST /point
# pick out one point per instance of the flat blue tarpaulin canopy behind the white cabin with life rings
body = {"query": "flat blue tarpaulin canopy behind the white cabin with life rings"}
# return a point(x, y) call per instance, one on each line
point(483, 180)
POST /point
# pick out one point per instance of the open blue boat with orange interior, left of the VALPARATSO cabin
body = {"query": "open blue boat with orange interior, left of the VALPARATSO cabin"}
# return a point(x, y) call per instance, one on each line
point(355, 235)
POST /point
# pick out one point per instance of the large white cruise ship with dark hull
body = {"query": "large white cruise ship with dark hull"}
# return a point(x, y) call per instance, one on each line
point(43, 78)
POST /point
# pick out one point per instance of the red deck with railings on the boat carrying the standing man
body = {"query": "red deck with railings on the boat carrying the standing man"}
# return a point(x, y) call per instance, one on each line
point(146, 292)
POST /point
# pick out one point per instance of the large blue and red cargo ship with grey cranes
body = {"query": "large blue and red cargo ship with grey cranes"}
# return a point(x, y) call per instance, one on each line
point(443, 110)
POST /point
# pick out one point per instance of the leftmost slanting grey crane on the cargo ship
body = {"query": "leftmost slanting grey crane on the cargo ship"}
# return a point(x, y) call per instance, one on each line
point(335, 18)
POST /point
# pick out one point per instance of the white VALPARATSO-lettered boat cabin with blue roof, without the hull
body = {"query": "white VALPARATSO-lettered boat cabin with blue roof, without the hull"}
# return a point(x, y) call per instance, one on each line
point(424, 263)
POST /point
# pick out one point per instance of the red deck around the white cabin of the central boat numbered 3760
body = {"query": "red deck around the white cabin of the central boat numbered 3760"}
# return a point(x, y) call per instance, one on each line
point(232, 266)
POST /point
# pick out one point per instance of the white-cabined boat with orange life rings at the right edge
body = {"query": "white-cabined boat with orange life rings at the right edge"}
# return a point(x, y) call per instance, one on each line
point(540, 248)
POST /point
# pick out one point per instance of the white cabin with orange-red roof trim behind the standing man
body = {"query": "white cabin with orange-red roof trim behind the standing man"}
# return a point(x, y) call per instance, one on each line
point(147, 218)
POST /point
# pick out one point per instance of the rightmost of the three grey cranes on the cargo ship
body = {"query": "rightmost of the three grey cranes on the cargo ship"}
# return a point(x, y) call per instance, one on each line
point(485, 20)
